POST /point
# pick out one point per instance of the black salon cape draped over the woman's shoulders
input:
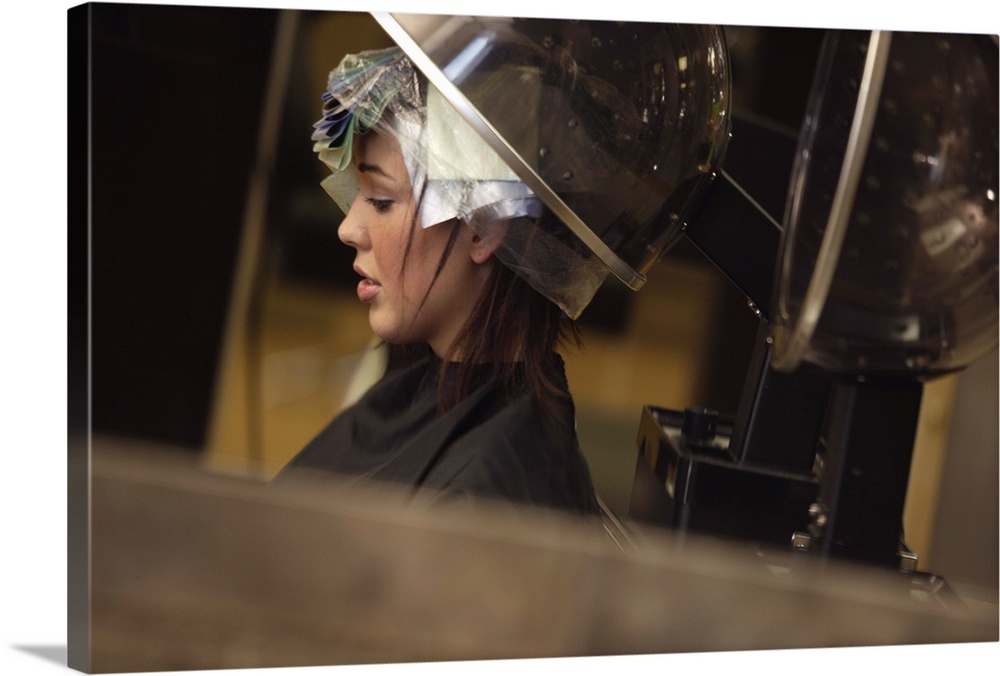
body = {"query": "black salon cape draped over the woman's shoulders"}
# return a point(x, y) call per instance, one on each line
point(490, 444)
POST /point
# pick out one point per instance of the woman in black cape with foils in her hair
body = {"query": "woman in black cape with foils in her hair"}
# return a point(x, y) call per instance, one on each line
point(480, 405)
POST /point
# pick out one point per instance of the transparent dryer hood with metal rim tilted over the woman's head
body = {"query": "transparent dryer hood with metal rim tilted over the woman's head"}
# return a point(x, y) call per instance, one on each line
point(614, 126)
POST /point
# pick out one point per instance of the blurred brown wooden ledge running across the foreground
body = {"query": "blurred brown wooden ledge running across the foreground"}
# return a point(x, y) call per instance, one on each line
point(195, 570)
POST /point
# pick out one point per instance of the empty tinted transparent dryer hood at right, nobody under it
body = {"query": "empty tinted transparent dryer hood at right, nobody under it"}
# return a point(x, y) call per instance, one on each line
point(889, 259)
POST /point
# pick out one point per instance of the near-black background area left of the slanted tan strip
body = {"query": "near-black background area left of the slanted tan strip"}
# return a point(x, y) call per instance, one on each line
point(176, 101)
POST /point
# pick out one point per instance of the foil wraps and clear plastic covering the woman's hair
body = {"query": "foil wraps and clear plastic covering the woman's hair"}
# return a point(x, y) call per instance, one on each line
point(453, 172)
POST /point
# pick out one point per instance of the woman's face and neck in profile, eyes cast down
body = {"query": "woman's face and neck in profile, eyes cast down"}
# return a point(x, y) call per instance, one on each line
point(379, 226)
